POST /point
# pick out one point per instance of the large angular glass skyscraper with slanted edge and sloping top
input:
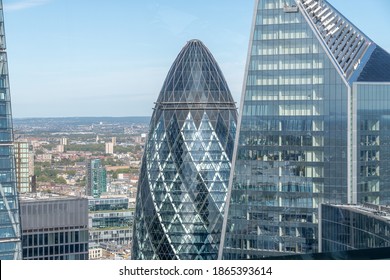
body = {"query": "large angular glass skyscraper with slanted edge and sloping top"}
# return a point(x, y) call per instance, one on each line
point(314, 127)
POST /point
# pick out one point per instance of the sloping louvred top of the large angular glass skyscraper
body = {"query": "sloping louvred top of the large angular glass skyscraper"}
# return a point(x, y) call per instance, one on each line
point(358, 57)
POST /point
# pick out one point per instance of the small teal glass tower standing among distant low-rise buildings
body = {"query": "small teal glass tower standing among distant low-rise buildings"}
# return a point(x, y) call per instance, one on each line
point(96, 178)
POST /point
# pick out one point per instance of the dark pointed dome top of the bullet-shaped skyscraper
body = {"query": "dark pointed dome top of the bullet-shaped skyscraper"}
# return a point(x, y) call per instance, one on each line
point(194, 80)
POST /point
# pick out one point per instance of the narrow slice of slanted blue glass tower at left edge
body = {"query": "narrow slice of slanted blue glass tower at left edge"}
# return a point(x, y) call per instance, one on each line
point(10, 245)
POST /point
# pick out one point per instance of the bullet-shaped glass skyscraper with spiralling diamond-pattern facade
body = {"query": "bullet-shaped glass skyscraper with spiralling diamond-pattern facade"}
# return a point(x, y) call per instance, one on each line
point(186, 164)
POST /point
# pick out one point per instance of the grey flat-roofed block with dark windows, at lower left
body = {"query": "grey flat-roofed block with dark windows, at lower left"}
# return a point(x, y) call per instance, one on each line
point(54, 227)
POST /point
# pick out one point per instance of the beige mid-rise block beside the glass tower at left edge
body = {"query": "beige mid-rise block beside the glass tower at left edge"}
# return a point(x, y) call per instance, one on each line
point(24, 163)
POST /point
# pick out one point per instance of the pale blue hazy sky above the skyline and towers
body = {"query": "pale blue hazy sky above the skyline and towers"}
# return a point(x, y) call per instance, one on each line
point(110, 58)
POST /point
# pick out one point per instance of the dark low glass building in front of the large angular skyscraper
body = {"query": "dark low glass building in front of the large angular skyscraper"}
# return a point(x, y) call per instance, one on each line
point(353, 227)
